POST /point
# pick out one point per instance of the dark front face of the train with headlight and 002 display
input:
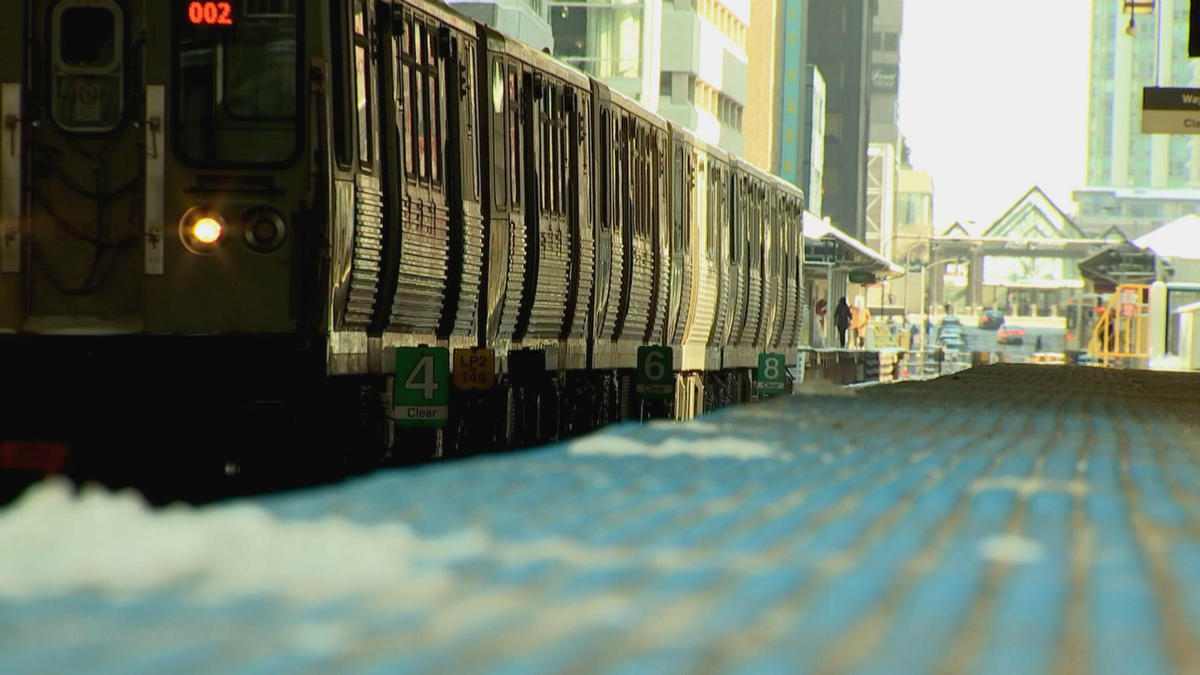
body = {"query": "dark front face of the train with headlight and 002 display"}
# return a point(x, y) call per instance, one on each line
point(160, 228)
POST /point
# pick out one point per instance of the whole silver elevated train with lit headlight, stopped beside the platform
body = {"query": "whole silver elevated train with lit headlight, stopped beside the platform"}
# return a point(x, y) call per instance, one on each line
point(226, 212)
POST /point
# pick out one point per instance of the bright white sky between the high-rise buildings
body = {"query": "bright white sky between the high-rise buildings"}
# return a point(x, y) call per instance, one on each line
point(994, 100)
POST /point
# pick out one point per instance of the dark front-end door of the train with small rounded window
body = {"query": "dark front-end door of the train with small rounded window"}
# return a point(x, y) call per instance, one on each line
point(81, 260)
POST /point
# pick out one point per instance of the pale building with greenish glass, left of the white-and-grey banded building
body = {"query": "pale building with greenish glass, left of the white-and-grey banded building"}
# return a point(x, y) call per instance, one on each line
point(617, 43)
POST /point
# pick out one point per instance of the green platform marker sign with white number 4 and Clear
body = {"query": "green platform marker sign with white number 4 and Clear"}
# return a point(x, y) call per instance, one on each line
point(422, 393)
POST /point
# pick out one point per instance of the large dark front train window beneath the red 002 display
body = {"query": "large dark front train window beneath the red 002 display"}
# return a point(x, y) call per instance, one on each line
point(238, 86)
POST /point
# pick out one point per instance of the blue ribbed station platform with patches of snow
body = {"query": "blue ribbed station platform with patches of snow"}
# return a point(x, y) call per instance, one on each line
point(1007, 519)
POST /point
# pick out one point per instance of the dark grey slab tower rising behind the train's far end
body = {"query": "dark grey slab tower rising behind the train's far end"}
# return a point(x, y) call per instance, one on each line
point(839, 45)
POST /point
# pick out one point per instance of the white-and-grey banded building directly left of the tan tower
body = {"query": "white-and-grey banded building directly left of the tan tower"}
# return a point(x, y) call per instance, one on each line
point(704, 81)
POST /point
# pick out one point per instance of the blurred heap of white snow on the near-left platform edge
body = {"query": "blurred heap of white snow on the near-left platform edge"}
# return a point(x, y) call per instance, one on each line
point(58, 543)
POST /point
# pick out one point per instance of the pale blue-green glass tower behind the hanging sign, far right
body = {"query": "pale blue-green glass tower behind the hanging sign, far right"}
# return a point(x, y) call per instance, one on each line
point(1124, 62)
